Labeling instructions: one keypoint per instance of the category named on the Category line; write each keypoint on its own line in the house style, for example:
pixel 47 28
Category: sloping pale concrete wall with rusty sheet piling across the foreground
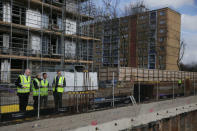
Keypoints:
pixel 123 118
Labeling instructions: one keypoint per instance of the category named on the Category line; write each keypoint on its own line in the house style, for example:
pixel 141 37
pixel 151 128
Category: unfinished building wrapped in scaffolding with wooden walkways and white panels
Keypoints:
pixel 44 34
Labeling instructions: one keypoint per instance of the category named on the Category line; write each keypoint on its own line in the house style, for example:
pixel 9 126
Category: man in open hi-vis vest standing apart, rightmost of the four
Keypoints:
pixel 59 83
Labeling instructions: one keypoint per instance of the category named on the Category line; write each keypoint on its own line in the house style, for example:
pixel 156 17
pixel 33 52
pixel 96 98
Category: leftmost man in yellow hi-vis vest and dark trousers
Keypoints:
pixel 23 89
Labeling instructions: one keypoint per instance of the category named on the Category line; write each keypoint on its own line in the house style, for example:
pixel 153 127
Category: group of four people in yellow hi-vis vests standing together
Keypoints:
pixel 40 88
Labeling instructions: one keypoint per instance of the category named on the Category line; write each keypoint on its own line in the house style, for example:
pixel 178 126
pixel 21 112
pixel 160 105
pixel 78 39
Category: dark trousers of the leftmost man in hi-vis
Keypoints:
pixel 23 101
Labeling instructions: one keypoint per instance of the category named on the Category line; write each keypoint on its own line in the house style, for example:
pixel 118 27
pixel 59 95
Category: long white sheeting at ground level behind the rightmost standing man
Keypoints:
pixel 77 81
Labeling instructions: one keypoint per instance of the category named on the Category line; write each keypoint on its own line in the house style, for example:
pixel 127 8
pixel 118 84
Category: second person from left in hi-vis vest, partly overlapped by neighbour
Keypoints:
pixel 36 90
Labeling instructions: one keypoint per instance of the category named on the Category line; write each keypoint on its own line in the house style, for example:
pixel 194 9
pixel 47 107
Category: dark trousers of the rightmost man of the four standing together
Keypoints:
pixel 57 100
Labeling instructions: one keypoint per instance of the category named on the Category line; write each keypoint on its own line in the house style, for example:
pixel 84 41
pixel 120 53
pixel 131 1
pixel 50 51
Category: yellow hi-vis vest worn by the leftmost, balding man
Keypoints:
pixel 25 83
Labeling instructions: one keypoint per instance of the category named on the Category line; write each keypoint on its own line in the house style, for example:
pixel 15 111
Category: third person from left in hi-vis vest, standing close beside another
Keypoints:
pixel 44 90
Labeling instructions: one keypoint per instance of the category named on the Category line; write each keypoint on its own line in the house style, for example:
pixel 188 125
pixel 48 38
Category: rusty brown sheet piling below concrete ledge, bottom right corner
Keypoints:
pixel 183 122
